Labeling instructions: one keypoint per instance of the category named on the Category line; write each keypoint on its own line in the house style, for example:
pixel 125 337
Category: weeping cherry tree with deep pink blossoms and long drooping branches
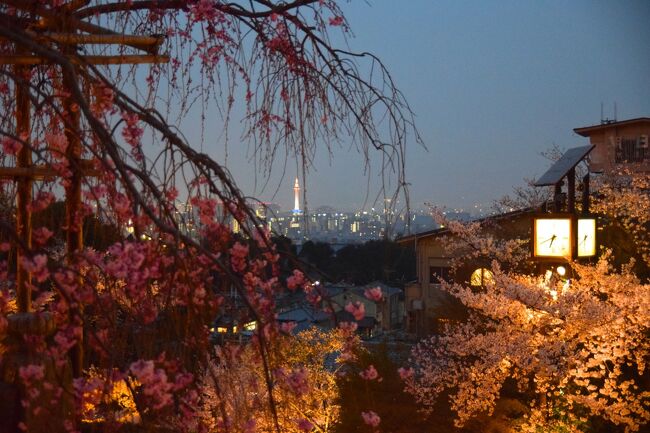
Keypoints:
pixel 80 119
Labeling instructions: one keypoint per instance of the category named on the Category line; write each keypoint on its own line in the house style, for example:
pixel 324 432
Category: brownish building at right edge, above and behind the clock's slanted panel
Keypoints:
pixel 619 144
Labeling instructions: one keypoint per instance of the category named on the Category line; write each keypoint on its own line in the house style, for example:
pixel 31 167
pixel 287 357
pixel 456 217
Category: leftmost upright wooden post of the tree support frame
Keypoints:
pixel 24 199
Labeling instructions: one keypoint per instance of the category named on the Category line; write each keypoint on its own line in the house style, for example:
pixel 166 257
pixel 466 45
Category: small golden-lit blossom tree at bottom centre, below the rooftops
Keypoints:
pixel 304 371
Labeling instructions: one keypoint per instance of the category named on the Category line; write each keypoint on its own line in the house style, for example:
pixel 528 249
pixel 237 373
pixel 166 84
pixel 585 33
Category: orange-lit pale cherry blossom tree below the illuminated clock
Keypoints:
pixel 576 347
